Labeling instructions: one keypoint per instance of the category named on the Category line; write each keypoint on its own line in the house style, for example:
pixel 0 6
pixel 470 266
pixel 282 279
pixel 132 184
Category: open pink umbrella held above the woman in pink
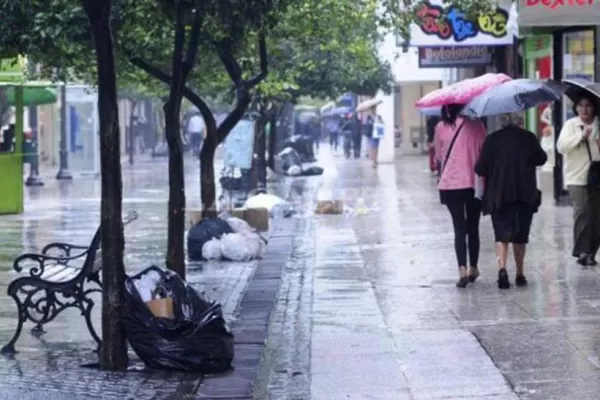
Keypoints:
pixel 461 92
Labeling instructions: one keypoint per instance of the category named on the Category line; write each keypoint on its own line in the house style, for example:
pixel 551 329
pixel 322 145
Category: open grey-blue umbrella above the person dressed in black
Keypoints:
pixel 514 96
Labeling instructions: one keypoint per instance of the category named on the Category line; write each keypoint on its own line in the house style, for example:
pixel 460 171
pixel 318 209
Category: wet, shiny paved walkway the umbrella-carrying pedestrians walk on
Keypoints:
pixel 385 321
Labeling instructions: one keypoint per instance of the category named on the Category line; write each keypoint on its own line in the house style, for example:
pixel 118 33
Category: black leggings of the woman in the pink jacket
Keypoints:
pixel 465 210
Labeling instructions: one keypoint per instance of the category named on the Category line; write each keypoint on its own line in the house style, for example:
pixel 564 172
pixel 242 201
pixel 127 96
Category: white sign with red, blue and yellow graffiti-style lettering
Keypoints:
pixel 434 27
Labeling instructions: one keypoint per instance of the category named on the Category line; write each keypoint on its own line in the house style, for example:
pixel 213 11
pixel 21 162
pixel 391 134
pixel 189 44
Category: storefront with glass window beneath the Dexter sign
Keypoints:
pixel 569 29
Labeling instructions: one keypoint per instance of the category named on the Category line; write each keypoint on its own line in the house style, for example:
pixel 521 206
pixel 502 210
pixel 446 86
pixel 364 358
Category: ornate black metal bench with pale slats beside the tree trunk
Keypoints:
pixel 54 284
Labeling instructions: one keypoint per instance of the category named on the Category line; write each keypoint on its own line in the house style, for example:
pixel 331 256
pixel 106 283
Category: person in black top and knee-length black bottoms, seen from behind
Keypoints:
pixel 508 162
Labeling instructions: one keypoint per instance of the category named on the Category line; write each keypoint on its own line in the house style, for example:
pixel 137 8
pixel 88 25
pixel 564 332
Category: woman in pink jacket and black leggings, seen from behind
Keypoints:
pixel 458 143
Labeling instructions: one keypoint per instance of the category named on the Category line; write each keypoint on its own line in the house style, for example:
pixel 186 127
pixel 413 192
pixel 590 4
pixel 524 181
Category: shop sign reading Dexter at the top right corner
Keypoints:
pixel 534 13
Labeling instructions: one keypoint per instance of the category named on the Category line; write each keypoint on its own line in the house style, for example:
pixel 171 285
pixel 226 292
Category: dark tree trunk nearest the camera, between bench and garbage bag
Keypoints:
pixel 113 354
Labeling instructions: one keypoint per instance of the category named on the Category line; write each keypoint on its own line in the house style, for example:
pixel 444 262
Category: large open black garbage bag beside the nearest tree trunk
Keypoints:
pixel 195 340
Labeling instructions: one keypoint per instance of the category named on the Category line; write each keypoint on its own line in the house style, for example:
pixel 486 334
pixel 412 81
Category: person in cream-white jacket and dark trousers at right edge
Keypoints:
pixel 579 143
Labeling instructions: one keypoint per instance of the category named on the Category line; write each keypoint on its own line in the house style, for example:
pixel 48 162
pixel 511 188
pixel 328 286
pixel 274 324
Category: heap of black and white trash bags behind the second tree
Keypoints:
pixel 226 238
